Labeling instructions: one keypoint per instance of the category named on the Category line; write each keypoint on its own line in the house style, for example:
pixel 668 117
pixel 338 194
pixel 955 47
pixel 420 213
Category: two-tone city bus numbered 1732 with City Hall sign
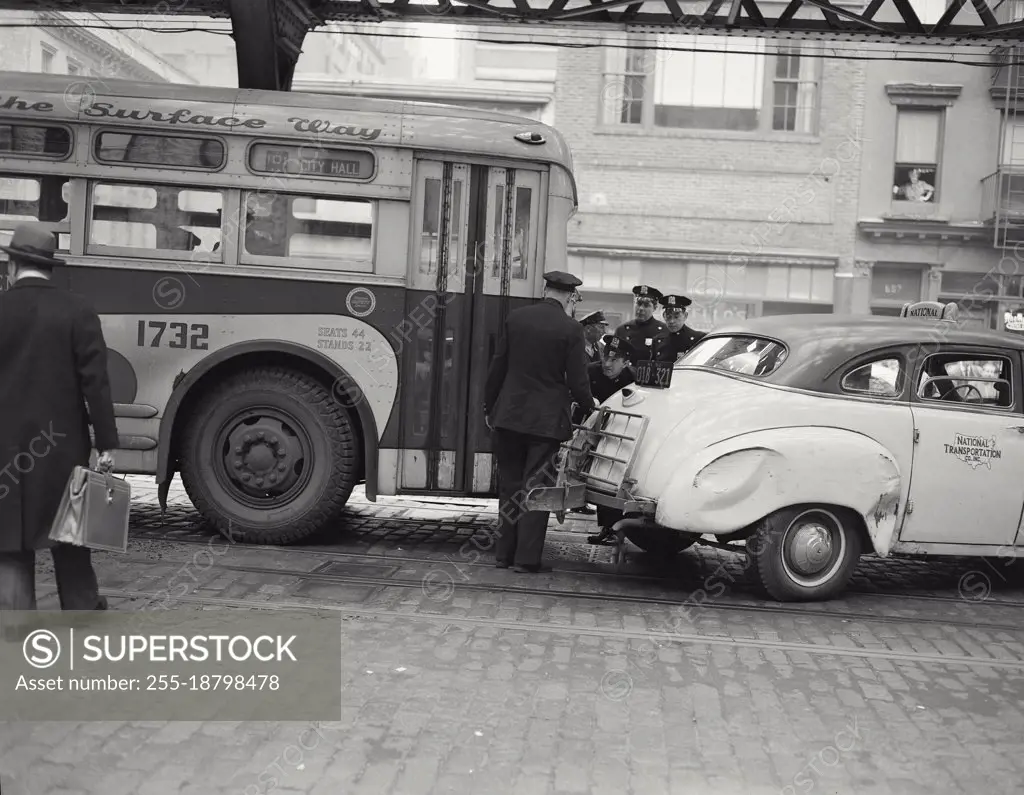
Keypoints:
pixel 300 292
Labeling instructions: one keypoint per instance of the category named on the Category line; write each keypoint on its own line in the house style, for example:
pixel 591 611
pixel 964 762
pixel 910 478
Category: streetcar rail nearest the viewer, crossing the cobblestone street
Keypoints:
pixel 603 633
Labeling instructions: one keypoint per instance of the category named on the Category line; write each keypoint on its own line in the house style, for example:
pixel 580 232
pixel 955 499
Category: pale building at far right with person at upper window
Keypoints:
pixel 943 188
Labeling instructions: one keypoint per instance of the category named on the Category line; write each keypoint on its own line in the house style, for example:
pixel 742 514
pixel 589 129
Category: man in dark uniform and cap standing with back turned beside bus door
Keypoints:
pixel 539 369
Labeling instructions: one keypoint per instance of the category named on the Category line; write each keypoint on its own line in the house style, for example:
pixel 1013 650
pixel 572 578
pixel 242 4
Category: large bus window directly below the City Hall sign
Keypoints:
pixel 310 228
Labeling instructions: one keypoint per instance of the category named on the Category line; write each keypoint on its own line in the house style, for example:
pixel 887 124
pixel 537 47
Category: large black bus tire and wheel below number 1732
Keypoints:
pixel 270 457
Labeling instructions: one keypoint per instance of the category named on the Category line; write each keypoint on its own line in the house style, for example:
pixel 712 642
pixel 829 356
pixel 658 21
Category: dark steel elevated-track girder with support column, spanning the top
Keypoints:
pixel 269 34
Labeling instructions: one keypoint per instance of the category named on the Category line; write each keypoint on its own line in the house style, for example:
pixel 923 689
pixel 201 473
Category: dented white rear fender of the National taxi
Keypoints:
pixel 737 483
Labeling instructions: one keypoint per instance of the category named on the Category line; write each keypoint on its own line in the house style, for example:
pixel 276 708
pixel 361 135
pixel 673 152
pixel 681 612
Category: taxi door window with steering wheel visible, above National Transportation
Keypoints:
pixel 967 379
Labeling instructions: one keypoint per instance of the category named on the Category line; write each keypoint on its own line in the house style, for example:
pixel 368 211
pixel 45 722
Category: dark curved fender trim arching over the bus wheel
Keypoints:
pixel 165 471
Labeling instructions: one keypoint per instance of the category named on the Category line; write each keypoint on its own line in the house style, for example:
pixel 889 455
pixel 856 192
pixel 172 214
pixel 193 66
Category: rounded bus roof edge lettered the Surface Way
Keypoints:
pixel 316 117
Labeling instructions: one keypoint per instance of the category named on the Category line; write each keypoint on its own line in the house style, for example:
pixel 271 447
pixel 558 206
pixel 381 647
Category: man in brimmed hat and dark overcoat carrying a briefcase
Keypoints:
pixel 54 383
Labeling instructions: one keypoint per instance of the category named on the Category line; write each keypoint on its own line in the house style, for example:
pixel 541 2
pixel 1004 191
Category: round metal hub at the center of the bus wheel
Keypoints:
pixel 266 457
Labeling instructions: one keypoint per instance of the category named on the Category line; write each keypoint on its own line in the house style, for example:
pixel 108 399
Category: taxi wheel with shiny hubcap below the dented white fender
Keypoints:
pixel 807 553
